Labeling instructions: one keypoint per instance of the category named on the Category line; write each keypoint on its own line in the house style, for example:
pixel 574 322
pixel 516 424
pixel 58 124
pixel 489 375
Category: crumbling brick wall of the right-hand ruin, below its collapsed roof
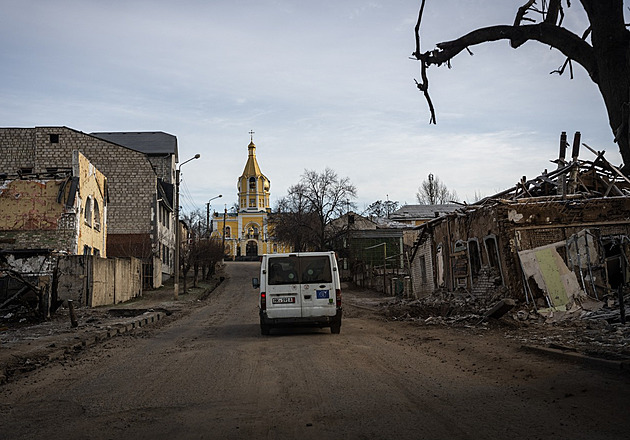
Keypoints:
pixel 479 249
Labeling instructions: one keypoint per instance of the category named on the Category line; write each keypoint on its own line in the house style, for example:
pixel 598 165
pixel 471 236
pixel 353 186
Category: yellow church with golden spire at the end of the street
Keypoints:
pixel 248 233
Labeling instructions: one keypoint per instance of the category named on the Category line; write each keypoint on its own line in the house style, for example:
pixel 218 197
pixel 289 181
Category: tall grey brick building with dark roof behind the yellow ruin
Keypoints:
pixel 140 172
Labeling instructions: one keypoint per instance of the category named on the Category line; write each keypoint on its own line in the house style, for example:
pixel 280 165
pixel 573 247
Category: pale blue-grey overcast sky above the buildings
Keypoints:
pixel 324 83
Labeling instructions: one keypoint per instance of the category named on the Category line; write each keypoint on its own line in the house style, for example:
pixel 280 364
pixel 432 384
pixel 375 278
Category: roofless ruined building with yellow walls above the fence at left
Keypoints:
pixel 64 209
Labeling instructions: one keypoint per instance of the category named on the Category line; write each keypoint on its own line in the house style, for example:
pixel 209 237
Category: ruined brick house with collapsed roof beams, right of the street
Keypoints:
pixel 557 241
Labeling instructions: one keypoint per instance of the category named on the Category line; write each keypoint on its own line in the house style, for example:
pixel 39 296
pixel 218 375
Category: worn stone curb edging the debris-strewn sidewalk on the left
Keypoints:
pixel 88 339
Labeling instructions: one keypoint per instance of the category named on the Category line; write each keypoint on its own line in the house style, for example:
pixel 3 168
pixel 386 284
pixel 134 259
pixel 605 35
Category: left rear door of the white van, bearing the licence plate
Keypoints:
pixel 283 288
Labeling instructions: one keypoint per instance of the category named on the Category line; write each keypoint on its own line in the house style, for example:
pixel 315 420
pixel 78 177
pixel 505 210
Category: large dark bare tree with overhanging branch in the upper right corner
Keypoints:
pixel 603 50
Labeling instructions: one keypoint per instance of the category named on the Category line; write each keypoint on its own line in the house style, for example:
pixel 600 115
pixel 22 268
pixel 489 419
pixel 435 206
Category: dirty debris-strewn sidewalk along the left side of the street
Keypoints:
pixel 26 347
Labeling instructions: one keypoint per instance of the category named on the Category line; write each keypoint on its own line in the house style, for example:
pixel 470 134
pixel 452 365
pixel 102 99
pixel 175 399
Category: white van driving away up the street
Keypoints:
pixel 299 289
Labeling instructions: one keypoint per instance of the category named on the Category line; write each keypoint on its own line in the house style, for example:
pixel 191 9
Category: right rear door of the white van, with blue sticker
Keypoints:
pixel 316 285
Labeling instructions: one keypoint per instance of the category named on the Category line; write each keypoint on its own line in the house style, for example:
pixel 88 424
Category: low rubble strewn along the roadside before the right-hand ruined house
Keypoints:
pixel 599 333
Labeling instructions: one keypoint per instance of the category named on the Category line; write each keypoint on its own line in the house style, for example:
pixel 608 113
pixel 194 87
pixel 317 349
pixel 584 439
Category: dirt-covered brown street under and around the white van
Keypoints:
pixel 211 375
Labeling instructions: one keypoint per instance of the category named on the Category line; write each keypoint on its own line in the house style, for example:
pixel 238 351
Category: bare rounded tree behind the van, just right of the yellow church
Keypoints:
pixel 310 205
